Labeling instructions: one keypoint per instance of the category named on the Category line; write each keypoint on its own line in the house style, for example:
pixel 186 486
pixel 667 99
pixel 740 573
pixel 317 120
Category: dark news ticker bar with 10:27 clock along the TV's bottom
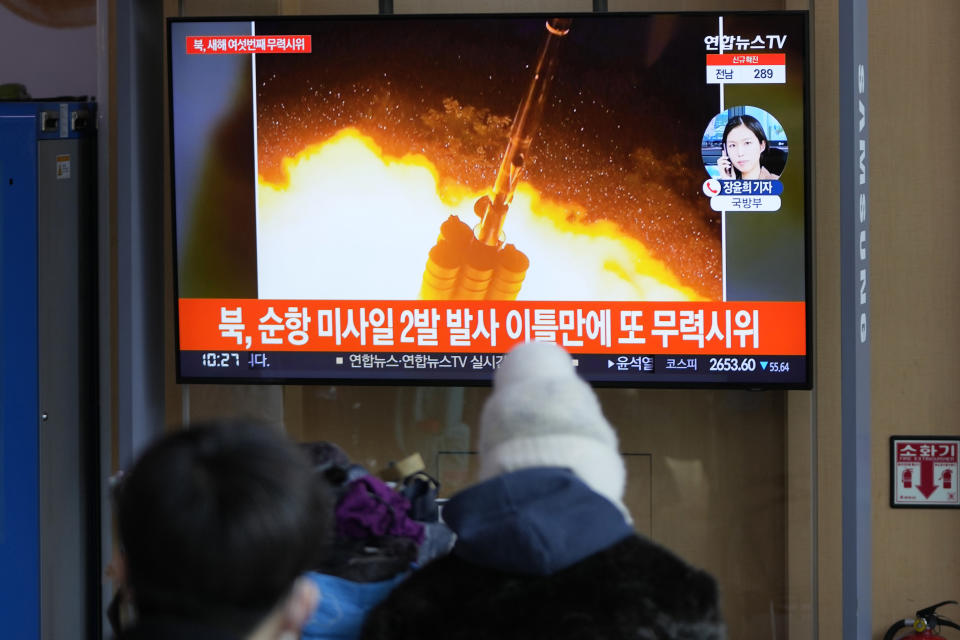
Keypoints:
pixel 479 367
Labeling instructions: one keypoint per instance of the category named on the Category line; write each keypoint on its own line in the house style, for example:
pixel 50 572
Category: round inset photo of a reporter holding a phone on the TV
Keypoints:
pixel 744 143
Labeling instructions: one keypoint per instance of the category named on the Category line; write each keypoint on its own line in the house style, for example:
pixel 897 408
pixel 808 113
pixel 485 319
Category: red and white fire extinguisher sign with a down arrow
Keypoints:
pixel 924 471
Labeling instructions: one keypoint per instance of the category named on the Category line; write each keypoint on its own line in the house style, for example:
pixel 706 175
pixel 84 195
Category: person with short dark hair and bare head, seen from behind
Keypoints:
pixel 215 524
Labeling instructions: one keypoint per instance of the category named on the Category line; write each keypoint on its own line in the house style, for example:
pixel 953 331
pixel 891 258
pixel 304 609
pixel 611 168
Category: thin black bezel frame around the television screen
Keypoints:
pixel 807 384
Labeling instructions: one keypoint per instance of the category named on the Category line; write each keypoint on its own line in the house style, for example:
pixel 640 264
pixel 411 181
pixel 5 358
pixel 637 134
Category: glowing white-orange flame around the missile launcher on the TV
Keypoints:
pixel 351 222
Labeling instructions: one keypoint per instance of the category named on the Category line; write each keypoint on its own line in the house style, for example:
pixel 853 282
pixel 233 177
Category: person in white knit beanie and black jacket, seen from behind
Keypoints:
pixel 544 546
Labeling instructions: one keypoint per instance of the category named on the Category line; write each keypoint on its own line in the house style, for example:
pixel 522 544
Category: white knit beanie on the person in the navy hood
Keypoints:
pixel 541 414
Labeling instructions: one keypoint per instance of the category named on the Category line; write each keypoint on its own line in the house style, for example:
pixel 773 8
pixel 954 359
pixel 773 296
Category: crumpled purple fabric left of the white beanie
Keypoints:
pixel 371 509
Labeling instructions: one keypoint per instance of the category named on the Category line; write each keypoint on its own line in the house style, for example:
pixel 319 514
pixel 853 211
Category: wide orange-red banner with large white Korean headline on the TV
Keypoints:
pixel 761 328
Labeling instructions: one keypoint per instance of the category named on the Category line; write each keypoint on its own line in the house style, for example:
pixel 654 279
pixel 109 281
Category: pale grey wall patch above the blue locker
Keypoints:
pixel 50 62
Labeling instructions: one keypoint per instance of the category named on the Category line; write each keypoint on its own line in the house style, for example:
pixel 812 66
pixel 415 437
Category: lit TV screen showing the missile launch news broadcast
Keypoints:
pixel 401 199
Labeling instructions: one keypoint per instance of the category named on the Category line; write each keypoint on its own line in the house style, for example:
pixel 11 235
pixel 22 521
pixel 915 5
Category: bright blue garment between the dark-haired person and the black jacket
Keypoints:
pixel 344 605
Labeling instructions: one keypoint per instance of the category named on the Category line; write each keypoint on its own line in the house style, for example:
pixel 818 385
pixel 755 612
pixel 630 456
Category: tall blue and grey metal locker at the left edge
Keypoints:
pixel 46 205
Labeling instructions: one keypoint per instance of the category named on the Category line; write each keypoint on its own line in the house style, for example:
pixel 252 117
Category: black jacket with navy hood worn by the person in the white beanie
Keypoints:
pixel 629 588
